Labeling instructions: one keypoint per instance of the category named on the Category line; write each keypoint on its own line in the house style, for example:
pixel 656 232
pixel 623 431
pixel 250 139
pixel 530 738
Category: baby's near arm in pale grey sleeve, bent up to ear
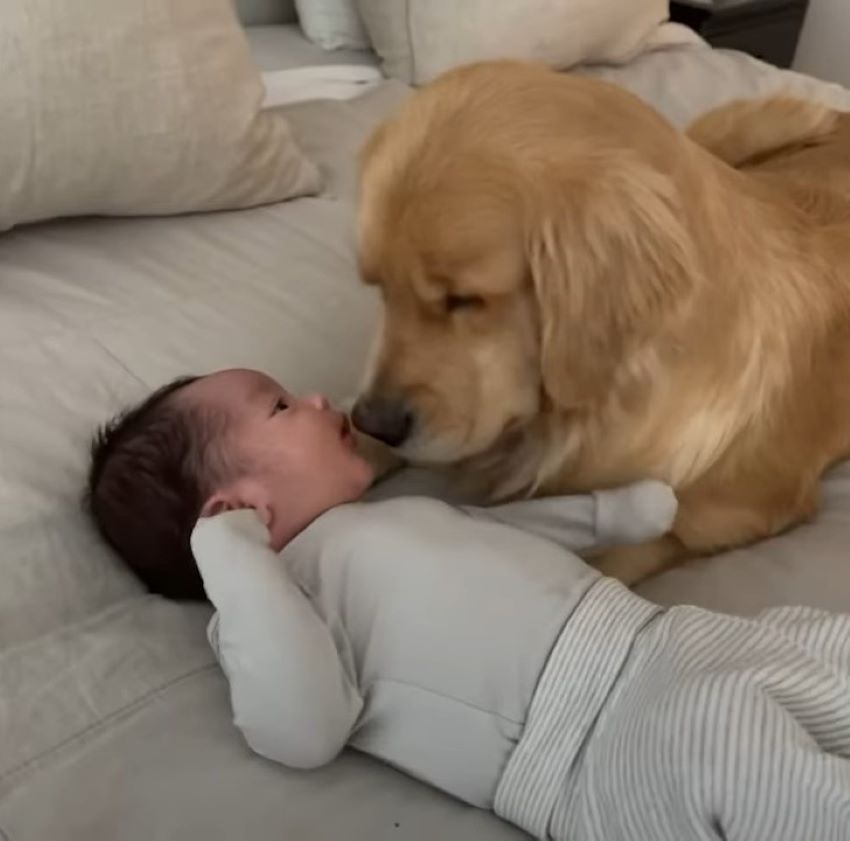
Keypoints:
pixel 292 698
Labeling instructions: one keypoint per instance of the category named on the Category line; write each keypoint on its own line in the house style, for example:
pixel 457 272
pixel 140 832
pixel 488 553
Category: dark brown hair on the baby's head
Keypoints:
pixel 152 468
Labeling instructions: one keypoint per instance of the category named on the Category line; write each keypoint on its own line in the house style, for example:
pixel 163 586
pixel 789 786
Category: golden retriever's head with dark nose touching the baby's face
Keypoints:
pixel 526 233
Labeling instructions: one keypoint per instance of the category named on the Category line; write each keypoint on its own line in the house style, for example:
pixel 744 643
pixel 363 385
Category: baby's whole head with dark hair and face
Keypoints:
pixel 202 445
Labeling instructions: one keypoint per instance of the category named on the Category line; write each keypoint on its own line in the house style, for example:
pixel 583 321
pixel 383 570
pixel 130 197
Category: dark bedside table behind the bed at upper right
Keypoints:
pixel 766 29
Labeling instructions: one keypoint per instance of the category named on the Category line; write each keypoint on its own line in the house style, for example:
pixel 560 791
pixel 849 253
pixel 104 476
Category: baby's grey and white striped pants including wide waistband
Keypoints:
pixel 713 727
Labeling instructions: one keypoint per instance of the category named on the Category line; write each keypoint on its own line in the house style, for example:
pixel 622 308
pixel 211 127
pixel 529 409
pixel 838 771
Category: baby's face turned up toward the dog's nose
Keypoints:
pixel 298 452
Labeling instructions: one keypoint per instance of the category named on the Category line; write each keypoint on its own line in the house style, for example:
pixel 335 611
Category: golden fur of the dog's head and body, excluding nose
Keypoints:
pixel 578 295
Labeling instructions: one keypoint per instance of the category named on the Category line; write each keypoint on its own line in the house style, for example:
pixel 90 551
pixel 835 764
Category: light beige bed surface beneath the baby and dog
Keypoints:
pixel 114 719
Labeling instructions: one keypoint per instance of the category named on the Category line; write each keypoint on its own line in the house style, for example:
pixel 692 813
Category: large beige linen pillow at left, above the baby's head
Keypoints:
pixel 124 107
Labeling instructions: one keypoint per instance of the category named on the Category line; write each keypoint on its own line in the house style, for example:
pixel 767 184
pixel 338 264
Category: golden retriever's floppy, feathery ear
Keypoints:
pixel 610 259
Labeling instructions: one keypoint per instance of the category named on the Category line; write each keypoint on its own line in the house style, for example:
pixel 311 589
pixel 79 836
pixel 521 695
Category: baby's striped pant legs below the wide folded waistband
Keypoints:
pixel 723 728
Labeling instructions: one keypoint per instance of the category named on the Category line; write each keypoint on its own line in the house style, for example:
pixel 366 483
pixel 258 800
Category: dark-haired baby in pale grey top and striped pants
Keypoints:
pixel 470 647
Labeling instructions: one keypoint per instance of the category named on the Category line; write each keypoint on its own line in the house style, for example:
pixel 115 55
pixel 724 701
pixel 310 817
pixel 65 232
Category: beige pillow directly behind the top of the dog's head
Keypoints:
pixel 419 39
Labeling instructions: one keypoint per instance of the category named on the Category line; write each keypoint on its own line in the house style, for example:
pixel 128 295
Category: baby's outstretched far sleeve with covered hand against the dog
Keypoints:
pixel 632 514
